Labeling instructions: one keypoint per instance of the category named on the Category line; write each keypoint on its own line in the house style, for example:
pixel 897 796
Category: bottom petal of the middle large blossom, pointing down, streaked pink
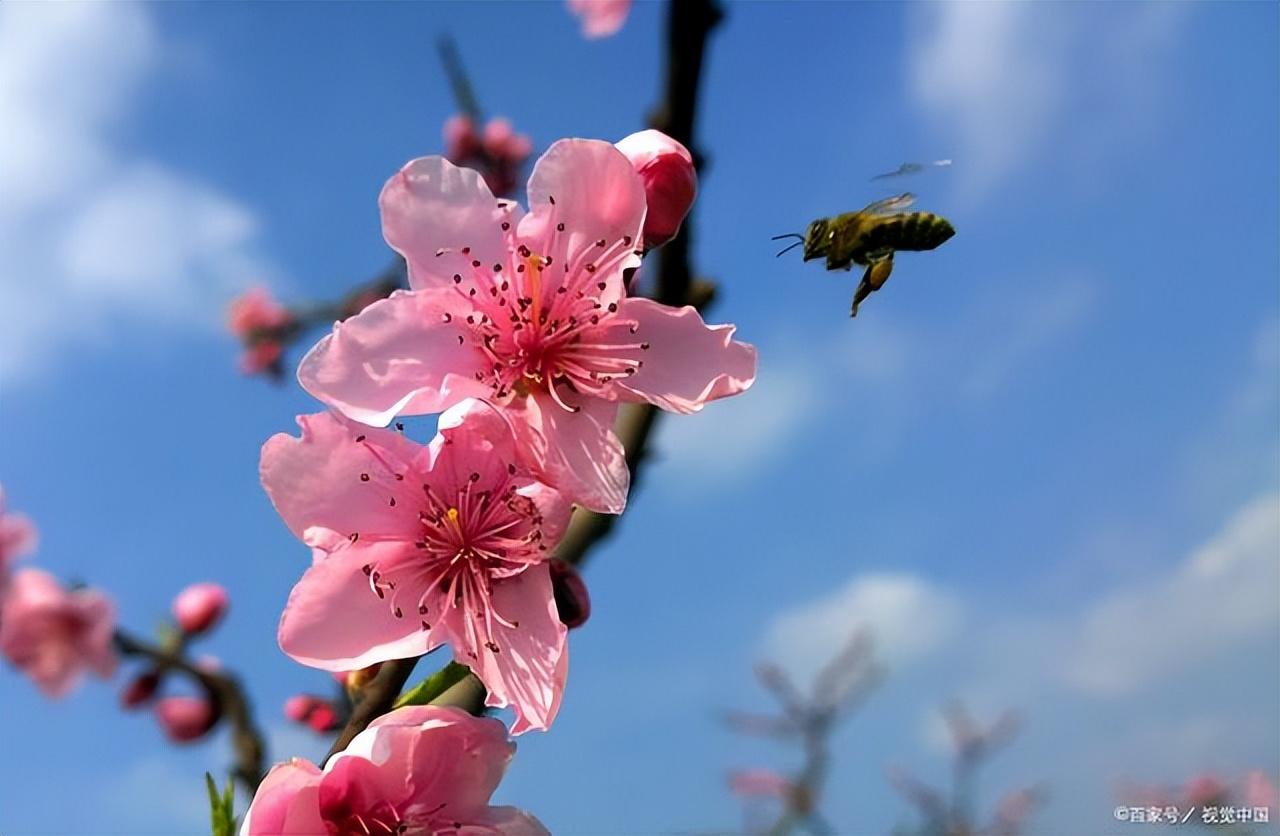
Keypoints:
pixel 532 665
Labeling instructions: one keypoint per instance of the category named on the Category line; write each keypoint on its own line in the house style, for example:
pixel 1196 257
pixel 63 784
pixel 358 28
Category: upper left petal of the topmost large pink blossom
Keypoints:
pixel 432 205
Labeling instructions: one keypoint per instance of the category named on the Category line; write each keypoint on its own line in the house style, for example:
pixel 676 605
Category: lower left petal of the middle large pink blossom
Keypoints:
pixel 335 622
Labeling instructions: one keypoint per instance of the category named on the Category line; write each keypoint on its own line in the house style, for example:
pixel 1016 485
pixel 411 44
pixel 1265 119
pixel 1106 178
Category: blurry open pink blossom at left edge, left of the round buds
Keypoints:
pixel 54 636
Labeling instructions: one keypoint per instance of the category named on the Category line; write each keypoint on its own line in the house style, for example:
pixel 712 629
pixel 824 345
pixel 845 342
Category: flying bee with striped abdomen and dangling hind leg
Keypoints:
pixel 870 237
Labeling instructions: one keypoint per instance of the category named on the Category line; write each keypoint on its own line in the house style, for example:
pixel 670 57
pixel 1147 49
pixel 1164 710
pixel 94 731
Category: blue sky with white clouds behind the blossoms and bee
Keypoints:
pixel 1043 465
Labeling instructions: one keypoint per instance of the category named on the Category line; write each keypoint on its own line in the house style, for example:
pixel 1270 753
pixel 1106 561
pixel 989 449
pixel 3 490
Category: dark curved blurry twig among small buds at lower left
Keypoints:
pixel 225 689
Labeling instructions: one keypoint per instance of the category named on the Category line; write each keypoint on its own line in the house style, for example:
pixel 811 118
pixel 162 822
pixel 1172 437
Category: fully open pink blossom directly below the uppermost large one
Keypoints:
pixel 422 546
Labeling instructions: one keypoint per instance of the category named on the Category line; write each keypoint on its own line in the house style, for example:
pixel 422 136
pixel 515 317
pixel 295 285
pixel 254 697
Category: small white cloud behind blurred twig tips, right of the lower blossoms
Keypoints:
pixel 907 616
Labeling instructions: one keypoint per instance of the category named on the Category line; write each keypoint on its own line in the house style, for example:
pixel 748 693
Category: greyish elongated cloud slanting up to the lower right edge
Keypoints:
pixel 1224 593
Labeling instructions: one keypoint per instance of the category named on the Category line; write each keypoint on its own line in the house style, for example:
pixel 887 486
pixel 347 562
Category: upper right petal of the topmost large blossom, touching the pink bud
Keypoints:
pixel 598 198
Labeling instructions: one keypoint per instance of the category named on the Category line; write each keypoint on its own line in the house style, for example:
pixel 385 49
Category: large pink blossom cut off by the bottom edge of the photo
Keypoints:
pixel 419 770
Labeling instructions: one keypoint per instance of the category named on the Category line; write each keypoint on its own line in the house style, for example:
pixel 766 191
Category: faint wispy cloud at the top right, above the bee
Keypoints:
pixel 1000 80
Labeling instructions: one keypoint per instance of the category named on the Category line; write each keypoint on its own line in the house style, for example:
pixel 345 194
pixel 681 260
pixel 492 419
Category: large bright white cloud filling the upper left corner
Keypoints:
pixel 95 239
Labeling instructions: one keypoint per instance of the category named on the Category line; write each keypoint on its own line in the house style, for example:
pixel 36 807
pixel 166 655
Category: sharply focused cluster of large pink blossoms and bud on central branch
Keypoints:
pixel 518 330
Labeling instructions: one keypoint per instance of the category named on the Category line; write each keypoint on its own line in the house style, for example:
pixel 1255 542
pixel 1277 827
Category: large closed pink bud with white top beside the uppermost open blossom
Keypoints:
pixel 670 182
